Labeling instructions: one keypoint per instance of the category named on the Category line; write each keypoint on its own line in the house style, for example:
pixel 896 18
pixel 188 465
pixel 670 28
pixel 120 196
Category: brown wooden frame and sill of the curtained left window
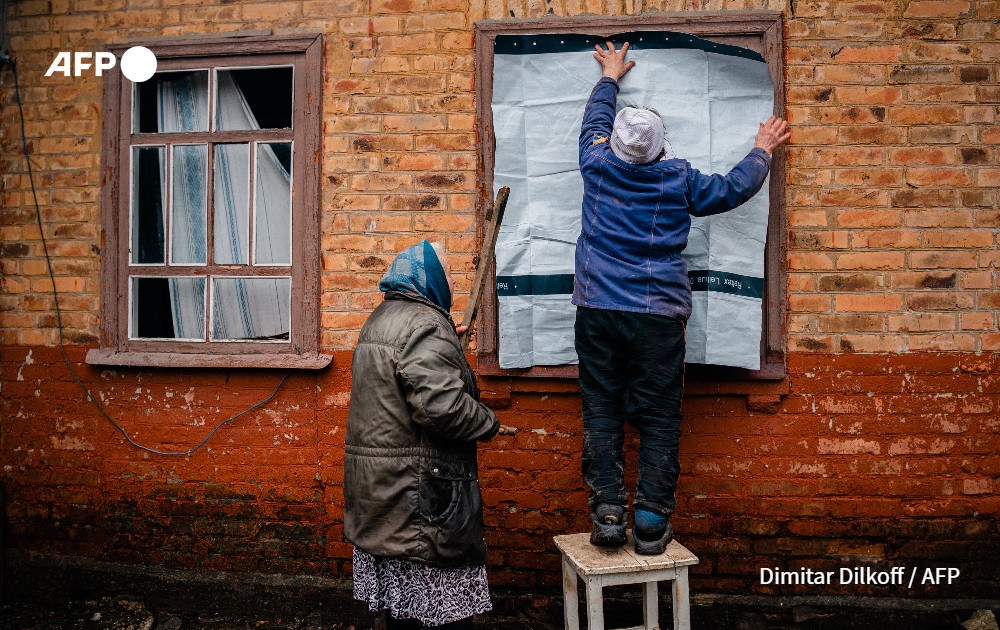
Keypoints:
pixel 304 53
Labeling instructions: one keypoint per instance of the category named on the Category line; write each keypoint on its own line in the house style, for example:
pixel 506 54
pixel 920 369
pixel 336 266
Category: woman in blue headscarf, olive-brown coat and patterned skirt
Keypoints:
pixel 413 508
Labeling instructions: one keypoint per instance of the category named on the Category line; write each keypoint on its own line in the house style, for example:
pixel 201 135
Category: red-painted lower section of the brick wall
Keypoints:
pixel 870 460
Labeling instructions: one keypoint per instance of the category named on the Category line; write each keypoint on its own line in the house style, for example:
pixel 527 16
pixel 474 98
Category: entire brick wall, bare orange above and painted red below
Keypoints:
pixel 880 448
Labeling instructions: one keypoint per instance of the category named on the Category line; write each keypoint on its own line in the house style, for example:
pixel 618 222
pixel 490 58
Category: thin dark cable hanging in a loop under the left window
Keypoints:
pixel 55 297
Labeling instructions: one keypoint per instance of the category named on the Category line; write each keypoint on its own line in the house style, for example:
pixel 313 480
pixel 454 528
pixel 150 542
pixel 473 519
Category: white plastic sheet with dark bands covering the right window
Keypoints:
pixel 711 97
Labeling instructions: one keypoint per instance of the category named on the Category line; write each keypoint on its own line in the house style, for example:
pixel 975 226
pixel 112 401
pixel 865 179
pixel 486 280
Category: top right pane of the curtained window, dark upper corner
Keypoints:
pixel 254 98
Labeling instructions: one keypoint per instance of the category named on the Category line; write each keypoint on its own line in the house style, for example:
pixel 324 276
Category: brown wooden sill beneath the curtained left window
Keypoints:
pixel 104 356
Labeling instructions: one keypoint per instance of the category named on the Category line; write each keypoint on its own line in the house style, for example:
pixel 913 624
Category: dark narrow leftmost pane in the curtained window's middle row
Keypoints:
pixel 149 190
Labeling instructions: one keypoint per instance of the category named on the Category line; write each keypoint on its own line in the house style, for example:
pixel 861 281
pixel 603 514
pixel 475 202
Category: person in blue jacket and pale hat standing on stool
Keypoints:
pixel 633 298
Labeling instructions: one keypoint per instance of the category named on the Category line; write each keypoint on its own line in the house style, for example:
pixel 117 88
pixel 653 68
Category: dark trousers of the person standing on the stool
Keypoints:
pixel 631 370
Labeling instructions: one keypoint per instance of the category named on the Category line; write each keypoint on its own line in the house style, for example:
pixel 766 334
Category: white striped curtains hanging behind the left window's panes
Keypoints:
pixel 243 308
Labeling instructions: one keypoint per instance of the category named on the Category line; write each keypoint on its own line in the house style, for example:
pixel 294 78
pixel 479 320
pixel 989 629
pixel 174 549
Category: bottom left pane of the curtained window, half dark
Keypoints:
pixel 167 308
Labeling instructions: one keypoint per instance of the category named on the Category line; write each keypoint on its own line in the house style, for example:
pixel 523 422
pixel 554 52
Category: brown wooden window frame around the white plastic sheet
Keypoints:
pixel 760 31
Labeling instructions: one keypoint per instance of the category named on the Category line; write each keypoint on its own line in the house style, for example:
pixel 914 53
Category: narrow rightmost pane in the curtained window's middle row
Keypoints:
pixel 273 204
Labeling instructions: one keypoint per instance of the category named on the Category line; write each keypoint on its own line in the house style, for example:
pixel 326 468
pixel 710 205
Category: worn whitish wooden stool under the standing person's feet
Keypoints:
pixel 603 566
